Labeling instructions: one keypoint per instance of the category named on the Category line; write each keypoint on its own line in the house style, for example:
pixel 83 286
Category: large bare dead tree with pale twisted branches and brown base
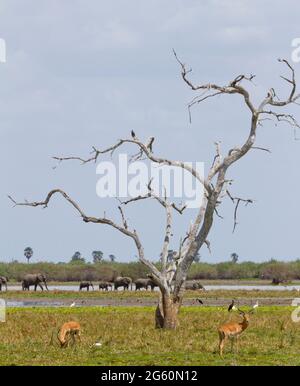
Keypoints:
pixel 215 183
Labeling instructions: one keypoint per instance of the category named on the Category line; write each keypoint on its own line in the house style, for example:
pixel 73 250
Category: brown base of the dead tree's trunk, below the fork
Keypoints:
pixel 166 313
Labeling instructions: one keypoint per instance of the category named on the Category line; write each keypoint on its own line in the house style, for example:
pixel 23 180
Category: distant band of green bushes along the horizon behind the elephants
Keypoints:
pixel 107 270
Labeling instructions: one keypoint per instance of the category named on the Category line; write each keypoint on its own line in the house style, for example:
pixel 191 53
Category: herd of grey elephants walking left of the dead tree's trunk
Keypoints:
pixel 38 280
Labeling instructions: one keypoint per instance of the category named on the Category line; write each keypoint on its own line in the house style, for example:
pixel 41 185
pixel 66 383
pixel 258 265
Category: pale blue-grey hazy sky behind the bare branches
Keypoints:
pixel 85 73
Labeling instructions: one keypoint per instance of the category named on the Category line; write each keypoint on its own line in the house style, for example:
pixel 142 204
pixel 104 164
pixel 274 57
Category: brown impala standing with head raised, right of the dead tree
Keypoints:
pixel 233 330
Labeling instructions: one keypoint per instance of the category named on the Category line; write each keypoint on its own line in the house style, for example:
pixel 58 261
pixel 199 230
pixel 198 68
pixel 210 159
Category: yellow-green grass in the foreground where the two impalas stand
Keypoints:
pixel 128 337
